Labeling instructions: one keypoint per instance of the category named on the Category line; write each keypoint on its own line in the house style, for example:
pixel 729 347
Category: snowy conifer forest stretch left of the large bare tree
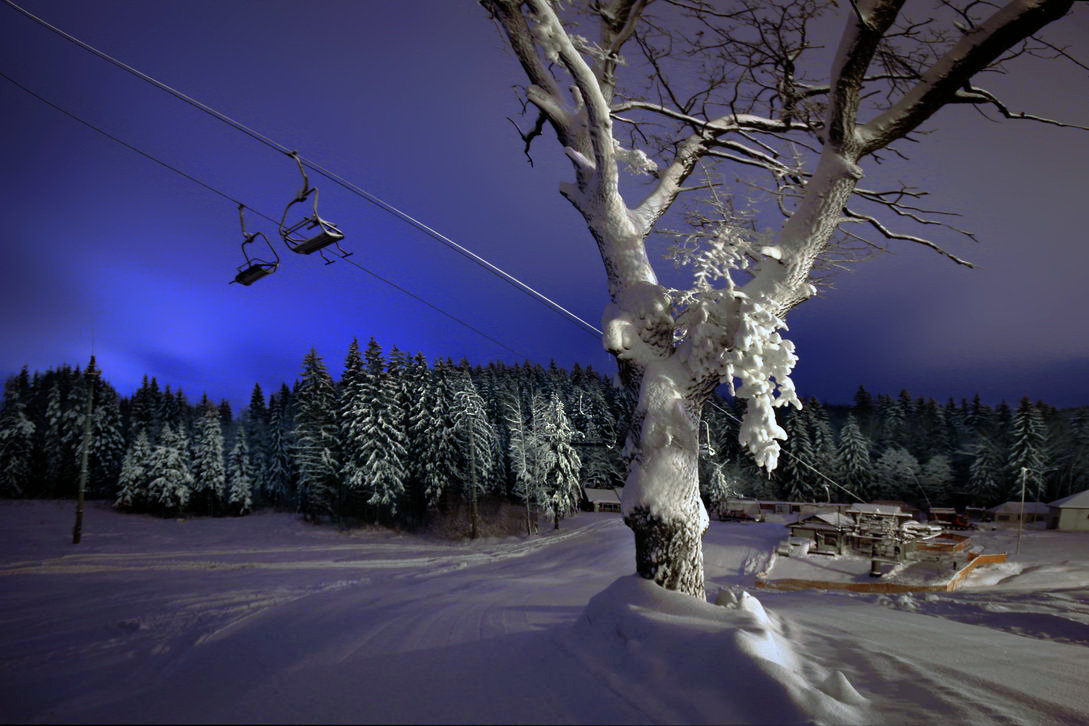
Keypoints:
pixel 395 441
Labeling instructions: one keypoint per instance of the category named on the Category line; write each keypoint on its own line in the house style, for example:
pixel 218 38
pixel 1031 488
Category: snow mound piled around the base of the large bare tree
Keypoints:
pixel 726 663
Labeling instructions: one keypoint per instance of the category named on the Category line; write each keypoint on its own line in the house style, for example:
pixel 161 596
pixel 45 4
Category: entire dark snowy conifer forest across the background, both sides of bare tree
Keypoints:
pixel 398 440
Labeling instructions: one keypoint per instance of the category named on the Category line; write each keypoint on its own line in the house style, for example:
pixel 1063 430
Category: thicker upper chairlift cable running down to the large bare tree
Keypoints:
pixel 354 189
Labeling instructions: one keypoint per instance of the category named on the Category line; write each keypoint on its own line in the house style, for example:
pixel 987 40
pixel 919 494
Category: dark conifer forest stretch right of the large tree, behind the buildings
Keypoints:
pixel 908 449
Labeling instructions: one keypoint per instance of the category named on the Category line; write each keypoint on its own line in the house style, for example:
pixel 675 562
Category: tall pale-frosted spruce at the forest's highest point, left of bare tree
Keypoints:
pixel 383 448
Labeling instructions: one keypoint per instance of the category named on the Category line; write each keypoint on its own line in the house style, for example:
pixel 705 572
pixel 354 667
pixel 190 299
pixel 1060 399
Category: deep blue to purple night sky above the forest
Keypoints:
pixel 409 100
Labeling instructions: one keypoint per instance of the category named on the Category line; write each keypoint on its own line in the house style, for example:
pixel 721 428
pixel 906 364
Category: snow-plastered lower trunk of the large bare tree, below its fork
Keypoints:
pixel 662 497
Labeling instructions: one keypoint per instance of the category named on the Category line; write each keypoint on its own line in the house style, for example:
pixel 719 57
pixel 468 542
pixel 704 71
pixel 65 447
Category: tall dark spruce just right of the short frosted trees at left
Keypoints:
pixel 316 439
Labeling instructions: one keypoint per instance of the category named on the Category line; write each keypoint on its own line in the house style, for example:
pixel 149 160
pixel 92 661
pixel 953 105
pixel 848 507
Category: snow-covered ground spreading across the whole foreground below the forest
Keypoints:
pixel 266 619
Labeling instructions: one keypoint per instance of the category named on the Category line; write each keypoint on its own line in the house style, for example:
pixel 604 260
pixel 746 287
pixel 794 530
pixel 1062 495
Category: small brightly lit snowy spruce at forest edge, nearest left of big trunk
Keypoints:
pixel 558 462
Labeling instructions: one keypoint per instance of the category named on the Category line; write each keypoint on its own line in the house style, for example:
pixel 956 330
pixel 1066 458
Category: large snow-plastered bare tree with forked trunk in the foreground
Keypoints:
pixel 756 101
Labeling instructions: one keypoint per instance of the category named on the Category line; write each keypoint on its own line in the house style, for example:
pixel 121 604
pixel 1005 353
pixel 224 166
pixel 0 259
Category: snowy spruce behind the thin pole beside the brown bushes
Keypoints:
pixel 476 441
